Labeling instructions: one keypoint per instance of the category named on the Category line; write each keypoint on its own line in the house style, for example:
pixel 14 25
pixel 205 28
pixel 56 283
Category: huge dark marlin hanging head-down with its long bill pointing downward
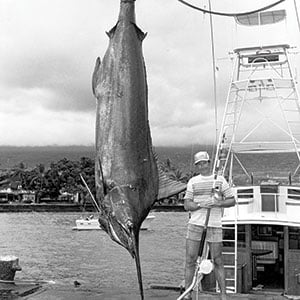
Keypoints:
pixel 126 170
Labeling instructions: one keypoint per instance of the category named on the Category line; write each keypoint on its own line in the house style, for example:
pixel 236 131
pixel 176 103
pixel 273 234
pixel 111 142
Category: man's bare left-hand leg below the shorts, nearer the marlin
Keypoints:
pixel 192 248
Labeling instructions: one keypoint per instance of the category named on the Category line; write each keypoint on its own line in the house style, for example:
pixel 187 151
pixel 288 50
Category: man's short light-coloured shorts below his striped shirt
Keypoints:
pixel 213 234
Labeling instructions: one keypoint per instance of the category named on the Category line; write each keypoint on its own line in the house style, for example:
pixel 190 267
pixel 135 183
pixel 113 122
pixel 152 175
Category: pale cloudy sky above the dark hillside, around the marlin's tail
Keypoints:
pixel 48 50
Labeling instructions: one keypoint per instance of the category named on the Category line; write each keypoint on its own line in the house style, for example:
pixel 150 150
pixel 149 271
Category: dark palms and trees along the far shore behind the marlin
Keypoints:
pixel 63 176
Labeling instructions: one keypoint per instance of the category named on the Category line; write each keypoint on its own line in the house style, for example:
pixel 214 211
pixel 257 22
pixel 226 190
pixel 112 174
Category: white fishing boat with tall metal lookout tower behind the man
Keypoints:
pixel 261 160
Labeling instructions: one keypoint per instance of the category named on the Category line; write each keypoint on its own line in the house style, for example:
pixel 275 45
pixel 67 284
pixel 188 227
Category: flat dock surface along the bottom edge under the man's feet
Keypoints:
pixel 42 292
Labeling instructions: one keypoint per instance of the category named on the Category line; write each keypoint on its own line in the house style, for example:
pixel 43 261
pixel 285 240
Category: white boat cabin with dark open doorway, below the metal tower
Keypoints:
pixel 268 237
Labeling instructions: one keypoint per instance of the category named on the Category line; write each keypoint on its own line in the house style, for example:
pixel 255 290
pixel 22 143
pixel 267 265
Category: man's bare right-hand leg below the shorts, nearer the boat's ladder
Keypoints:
pixel 216 253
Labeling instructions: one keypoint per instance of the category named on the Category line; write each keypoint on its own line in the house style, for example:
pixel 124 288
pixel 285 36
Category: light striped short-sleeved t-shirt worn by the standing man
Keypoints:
pixel 199 190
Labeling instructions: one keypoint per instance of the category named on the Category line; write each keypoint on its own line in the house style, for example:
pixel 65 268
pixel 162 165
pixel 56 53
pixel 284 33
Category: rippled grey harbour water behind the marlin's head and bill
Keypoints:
pixel 48 249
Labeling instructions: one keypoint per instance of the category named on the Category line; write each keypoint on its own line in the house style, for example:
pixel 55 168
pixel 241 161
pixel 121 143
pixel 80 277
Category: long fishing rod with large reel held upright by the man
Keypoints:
pixel 202 262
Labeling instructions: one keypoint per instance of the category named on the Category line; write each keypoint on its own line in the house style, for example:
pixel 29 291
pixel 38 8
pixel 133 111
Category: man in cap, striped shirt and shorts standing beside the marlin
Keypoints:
pixel 198 199
